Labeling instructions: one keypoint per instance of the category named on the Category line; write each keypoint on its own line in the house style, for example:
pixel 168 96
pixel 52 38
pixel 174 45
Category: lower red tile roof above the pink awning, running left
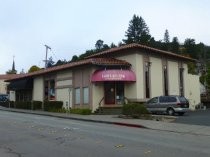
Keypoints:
pixel 93 61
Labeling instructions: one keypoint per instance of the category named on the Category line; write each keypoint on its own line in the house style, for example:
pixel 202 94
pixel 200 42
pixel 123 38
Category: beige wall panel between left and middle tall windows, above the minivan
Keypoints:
pixel 156 77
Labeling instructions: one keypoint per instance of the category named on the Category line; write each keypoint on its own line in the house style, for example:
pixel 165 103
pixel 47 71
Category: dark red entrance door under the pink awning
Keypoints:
pixel 109 89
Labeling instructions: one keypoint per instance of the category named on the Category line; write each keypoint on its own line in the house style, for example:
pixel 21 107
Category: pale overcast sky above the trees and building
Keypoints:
pixel 70 27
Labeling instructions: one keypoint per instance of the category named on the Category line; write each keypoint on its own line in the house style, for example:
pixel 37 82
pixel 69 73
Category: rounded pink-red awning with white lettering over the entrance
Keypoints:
pixel 113 75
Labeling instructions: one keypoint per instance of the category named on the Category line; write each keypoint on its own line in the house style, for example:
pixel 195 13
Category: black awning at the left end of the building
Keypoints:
pixel 20 84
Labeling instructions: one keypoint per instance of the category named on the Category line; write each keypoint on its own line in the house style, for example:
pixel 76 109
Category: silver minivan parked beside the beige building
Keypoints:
pixel 168 104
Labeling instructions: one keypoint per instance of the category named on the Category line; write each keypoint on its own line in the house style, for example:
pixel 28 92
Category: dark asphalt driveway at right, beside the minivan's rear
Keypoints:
pixel 198 117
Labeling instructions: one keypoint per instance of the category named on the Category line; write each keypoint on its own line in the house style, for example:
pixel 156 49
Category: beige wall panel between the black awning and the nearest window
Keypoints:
pixel 38 89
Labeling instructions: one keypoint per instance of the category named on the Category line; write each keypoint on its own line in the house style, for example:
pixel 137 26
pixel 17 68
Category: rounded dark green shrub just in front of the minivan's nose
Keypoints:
pixel 134 110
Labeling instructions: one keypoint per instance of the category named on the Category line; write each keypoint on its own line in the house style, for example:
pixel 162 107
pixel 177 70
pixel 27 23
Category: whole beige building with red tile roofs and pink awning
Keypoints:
pixel 132 72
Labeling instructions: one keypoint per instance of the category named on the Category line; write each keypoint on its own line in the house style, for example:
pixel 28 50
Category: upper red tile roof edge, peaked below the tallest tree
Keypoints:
pixel 134 45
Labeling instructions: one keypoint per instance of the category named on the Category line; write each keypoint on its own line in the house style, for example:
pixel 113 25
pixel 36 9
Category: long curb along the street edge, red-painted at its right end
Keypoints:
pixel 49 114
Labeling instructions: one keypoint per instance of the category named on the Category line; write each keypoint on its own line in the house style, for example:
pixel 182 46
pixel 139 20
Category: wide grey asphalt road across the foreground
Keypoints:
pixel 25 135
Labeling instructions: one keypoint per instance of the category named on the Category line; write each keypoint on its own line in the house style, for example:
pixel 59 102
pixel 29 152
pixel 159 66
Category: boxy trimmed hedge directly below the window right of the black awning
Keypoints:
pixel 52 105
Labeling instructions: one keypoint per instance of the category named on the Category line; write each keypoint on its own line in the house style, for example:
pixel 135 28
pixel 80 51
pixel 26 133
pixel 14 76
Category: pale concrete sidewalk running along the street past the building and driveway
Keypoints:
pixel 114 119
